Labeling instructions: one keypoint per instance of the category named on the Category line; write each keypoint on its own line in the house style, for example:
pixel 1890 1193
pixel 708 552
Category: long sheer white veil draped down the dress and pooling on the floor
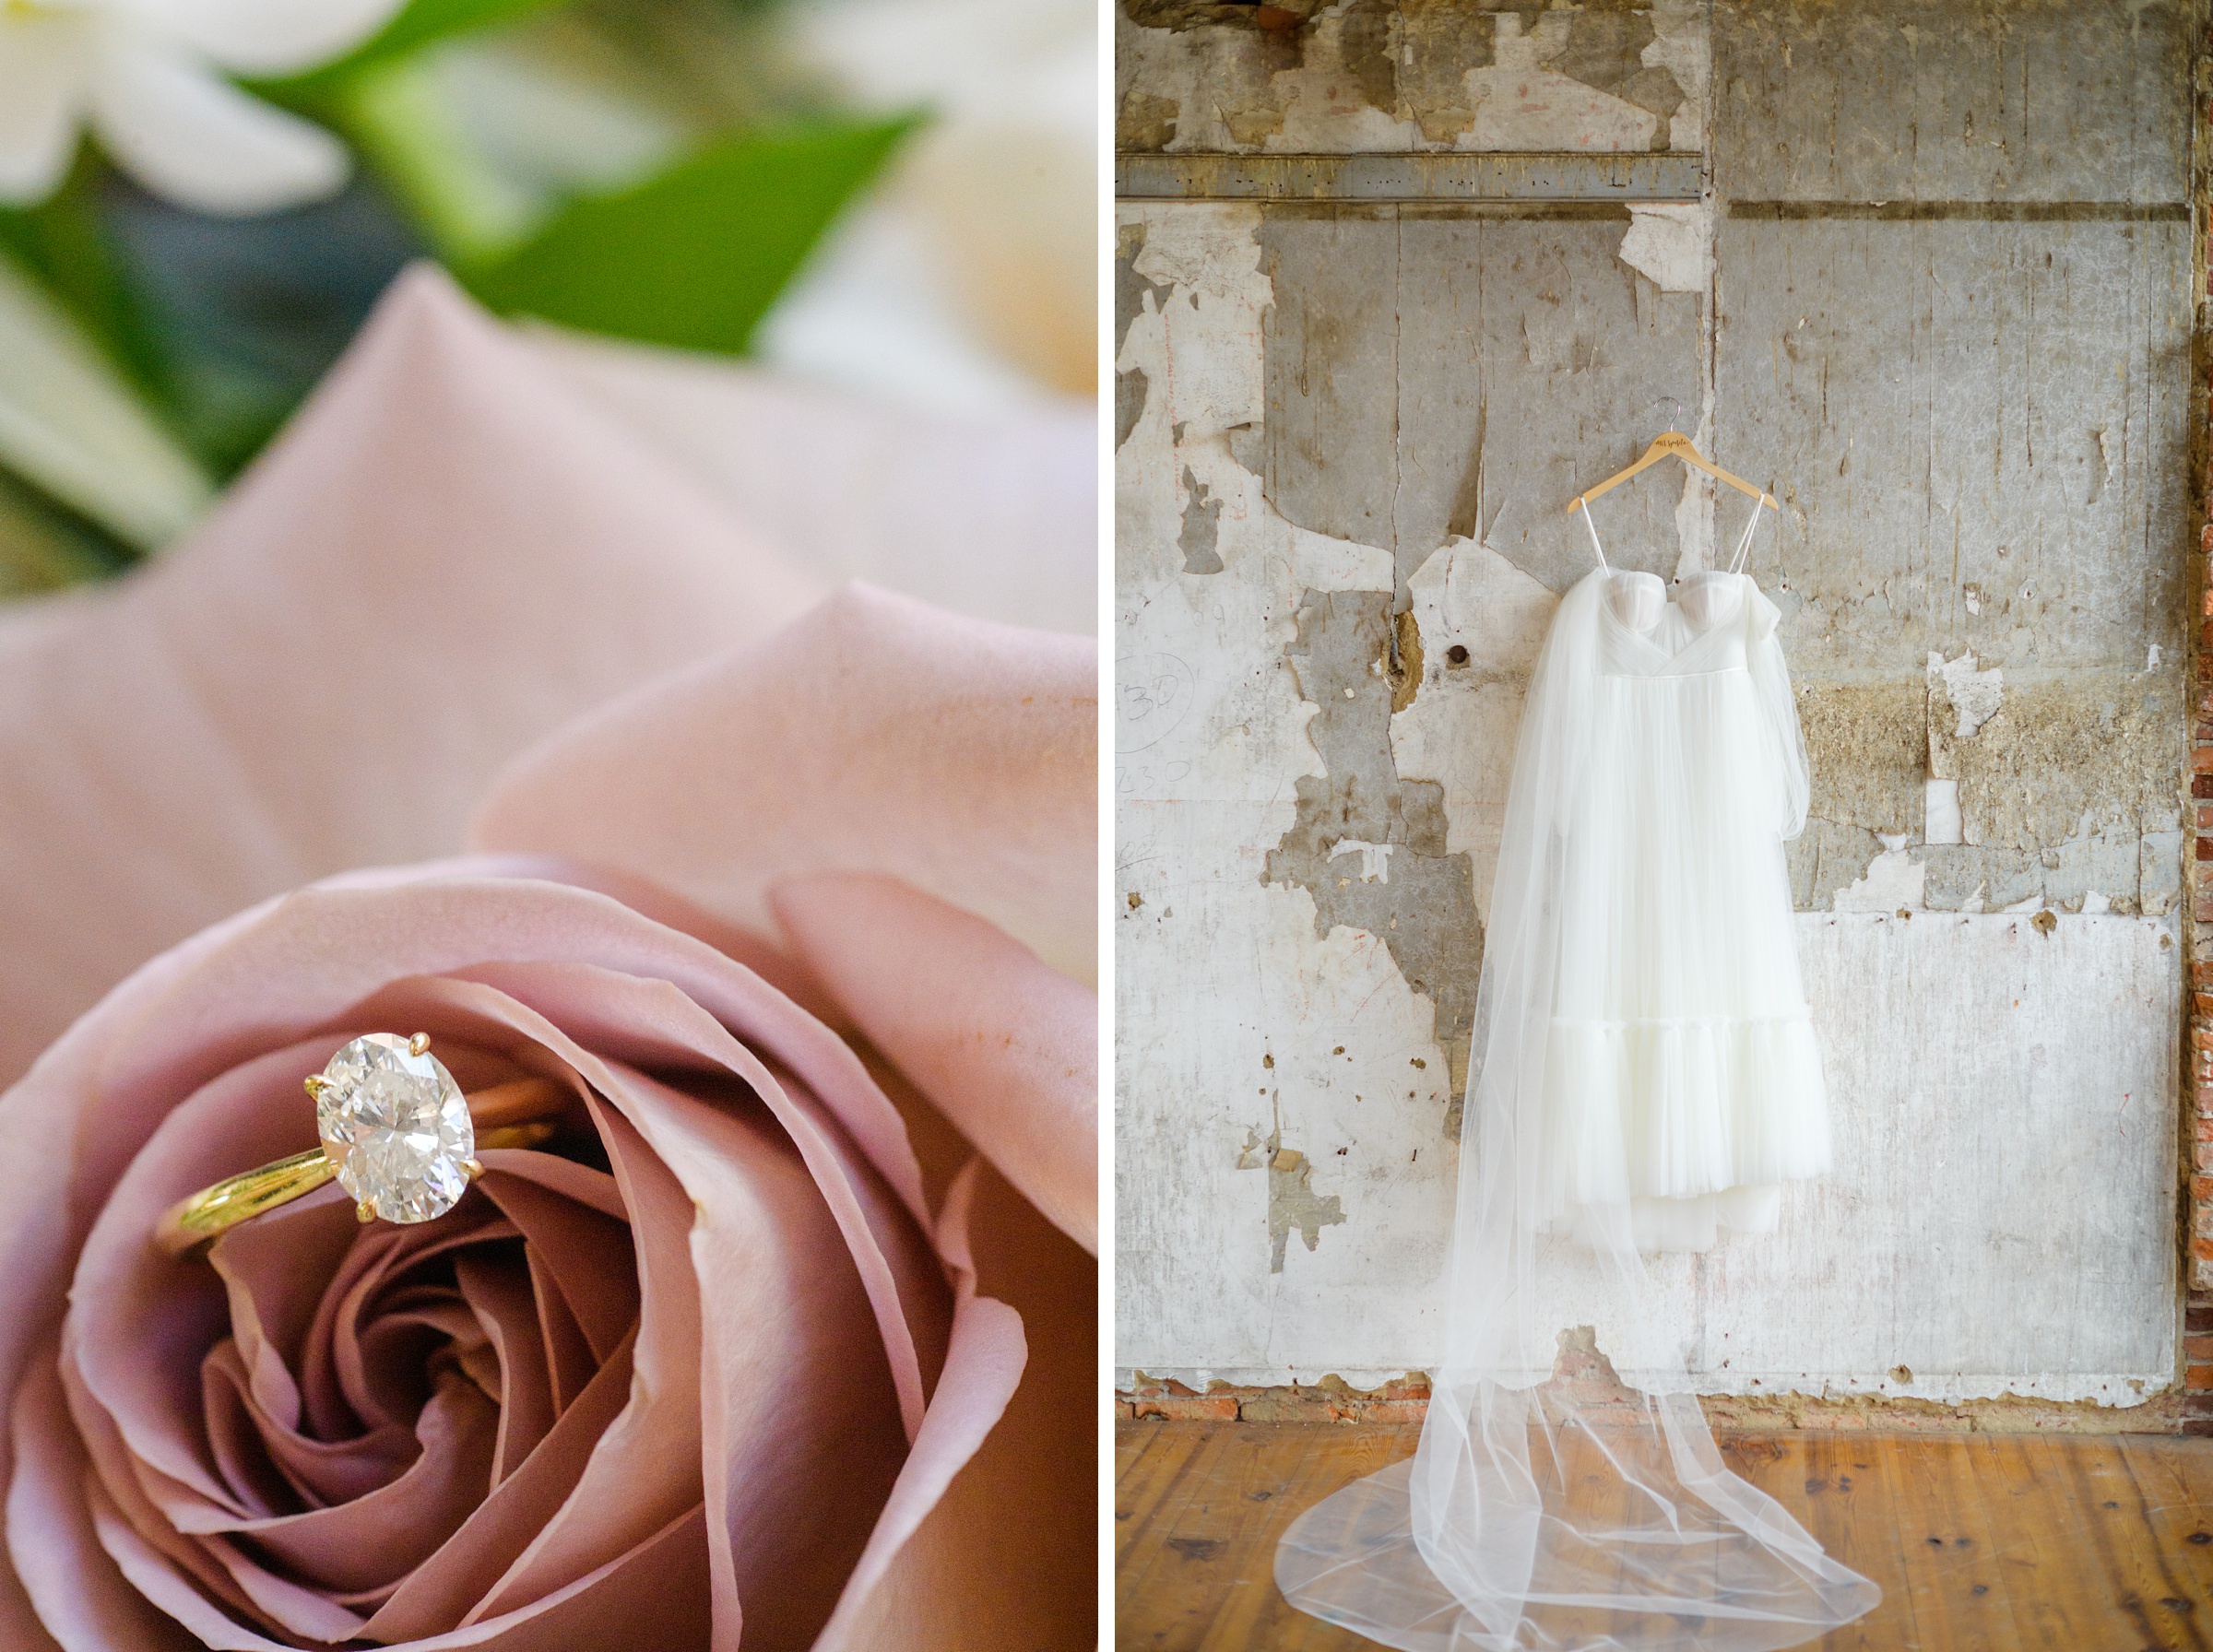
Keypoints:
pixel 1555 1507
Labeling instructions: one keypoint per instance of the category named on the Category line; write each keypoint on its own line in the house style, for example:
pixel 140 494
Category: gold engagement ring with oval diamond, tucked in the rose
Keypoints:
pixel 397 1133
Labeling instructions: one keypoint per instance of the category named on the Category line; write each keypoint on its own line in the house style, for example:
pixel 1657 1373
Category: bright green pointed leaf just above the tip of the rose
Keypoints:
pixel 696 255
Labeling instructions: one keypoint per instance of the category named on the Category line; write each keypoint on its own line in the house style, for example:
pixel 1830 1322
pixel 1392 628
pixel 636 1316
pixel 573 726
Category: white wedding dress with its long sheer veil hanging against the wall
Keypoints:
pixel 1643 1076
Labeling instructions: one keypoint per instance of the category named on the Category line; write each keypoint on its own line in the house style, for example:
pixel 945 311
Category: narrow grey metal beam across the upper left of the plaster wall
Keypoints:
pixel 1411 178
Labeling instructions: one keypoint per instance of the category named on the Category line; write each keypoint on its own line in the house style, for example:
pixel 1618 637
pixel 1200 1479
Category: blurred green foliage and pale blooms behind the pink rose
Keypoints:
pixel 656 171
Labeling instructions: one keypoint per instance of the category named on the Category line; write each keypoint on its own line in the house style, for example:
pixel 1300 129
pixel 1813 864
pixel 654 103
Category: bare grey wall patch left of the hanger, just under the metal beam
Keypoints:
pixel 1435 377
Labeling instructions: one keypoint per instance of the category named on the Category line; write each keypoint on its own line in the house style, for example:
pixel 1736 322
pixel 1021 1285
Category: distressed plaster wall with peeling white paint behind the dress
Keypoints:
pixel 1937 297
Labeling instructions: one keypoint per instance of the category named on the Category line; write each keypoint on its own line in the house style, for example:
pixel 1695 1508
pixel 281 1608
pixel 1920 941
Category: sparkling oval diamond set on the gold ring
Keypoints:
pixel 397 1127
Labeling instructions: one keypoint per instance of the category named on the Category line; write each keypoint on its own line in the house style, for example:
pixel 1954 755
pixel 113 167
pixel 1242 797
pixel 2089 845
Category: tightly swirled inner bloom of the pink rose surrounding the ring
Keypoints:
pixel 711 1386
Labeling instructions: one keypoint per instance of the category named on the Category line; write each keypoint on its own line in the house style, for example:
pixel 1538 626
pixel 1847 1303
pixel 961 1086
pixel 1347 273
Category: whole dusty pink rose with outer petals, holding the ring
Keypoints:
pixel 789 1337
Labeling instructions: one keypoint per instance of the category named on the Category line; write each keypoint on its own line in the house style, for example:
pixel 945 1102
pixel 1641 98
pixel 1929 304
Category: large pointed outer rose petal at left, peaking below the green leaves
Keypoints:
pixel 169 740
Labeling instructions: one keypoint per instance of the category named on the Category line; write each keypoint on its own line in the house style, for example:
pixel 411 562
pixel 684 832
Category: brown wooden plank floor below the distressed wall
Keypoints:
pixel 1982 1543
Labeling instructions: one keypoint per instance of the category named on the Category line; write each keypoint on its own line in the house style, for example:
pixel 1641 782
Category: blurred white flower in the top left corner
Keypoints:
pixel 147 76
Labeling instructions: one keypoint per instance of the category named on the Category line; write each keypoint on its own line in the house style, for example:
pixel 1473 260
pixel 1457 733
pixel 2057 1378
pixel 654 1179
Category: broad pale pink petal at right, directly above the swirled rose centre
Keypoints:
pixel 873 735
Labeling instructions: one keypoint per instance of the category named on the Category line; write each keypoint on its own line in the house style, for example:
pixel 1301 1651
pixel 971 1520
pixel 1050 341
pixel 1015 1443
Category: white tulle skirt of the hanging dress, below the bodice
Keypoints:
pixel 1683 1071
